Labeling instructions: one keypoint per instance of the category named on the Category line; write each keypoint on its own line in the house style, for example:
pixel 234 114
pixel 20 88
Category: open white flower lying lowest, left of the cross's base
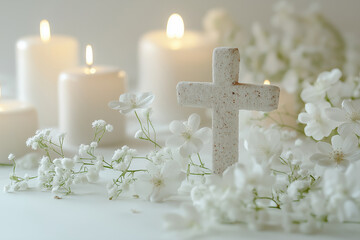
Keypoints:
pixel 160 182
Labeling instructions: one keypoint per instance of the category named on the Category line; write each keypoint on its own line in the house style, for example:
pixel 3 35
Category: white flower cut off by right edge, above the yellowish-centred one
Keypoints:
pixel 348 117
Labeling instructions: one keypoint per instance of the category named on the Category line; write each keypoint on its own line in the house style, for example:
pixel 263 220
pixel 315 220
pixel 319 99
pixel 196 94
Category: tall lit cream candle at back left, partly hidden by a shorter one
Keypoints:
pixel 39 62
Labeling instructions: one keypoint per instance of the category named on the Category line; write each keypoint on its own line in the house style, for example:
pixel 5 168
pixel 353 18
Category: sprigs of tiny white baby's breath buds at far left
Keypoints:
pixel 56 172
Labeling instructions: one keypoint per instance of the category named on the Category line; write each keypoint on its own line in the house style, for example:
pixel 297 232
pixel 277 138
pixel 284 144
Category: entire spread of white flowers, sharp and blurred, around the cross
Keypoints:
pixel 296 178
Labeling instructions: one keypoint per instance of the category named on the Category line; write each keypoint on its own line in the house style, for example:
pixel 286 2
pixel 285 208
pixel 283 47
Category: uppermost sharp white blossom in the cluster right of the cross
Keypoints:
pixel 317 92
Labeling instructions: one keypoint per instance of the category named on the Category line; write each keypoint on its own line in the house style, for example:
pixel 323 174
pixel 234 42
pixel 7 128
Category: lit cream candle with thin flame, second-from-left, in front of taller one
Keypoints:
pixel 84 94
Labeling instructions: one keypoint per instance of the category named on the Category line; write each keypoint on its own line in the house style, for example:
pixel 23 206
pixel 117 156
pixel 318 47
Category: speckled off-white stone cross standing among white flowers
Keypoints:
pixel 226 96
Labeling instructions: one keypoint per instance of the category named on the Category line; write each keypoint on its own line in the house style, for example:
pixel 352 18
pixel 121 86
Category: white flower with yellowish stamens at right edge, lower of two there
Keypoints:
pixel 341 152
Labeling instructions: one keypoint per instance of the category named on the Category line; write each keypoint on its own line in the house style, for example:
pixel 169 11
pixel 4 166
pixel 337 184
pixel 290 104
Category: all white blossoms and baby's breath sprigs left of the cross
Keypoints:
pixel 166 168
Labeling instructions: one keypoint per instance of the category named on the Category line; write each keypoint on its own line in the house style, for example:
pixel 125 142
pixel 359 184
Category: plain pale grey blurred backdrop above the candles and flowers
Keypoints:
pixel 114 27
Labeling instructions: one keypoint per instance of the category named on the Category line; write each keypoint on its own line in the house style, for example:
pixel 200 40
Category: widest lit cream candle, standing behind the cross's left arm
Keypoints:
pixel 166 58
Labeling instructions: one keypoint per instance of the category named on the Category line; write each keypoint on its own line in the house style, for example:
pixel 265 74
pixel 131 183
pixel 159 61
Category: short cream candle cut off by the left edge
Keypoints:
pixel 18 122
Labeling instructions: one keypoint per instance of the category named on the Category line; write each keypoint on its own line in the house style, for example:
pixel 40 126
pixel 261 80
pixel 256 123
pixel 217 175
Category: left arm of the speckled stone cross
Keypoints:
pixel 195 94
